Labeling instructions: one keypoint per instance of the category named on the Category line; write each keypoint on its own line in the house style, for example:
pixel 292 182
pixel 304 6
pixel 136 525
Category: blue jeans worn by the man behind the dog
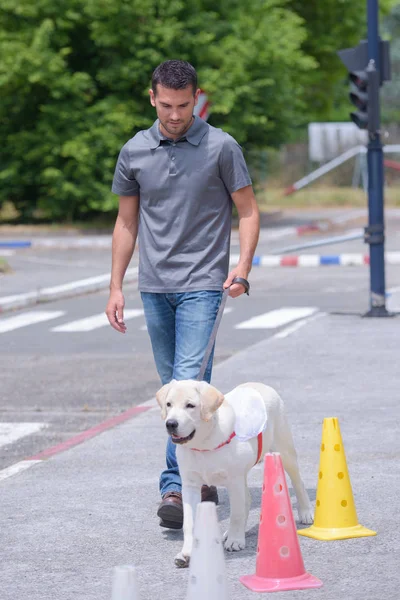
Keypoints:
pixel 179 326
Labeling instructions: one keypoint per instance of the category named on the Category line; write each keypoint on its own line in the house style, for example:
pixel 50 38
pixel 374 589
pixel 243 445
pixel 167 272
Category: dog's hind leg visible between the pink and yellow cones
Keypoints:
pixel 285 446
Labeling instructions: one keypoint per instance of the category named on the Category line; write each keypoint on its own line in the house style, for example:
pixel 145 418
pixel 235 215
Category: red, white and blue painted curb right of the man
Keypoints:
pixel 317 260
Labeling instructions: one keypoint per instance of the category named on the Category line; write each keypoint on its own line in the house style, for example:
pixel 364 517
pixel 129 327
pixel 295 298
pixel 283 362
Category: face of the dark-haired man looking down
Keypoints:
pixel 174 109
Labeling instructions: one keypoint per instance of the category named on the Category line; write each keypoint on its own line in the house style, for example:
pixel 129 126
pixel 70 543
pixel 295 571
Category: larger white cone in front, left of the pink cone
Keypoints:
pixel 207 574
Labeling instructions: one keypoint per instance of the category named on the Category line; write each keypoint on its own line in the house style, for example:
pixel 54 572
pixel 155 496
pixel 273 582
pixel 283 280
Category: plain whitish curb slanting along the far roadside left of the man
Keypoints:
pixel 67 290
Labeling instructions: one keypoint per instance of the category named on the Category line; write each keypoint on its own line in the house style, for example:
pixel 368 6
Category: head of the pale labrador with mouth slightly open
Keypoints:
pixel 186 405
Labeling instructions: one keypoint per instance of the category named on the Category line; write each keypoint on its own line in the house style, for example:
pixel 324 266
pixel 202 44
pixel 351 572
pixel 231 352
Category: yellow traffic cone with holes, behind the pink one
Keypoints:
pixel 335 515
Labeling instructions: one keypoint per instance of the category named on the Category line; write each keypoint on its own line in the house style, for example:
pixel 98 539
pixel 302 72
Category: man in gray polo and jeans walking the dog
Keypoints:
pixel 176 182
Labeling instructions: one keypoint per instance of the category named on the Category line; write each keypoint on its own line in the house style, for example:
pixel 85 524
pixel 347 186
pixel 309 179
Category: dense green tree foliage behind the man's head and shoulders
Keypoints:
pixel 74 79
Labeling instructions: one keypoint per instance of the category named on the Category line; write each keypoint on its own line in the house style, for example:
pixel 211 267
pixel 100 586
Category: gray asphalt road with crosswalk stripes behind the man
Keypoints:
pixel 68 381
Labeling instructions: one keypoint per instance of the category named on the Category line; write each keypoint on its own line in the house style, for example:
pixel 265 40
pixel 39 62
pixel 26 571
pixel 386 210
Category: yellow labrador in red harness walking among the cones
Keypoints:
pixel 204 423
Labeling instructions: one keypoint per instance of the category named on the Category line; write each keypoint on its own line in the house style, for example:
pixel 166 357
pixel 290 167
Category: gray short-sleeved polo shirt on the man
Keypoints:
pixel 185 212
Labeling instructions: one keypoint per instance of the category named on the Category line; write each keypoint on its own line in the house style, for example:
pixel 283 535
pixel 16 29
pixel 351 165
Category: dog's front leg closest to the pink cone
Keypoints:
pixel 234 538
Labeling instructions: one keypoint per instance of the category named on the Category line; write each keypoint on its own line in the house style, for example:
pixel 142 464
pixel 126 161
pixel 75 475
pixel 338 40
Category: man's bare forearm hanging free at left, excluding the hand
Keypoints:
pixel 123 245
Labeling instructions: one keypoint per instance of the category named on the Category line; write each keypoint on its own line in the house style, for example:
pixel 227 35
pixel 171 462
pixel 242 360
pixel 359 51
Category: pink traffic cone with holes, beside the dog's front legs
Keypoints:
pixel 279 564
